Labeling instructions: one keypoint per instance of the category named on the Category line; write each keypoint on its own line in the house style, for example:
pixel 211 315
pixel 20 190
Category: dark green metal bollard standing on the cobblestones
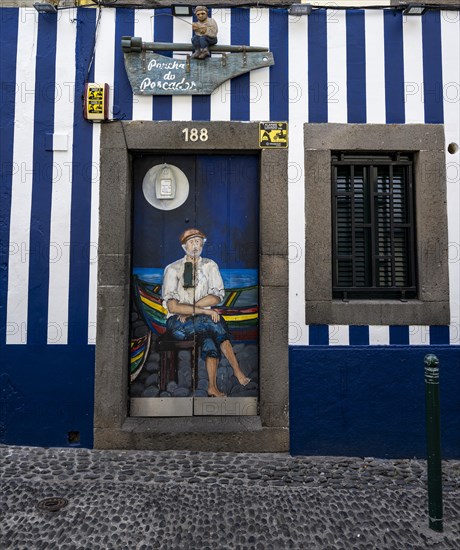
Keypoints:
pixel 433 437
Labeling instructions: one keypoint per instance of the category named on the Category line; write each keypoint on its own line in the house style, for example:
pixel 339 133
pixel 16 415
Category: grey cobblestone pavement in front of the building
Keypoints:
pixel 193 500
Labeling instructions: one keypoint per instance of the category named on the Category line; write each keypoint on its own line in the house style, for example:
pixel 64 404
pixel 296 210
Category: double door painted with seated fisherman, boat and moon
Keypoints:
pixel 194 306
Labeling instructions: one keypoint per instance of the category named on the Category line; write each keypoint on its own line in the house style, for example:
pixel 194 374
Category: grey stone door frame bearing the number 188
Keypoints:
pixel 113 427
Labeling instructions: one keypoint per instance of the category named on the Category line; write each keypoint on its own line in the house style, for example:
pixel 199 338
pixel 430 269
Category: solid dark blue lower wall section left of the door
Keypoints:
pixel 45 393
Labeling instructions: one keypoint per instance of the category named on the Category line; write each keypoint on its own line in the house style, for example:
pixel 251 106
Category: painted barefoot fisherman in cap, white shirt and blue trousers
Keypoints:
pixel 191 286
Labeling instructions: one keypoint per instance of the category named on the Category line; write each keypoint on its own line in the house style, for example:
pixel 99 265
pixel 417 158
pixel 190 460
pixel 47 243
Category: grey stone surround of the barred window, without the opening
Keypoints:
pixel 425 142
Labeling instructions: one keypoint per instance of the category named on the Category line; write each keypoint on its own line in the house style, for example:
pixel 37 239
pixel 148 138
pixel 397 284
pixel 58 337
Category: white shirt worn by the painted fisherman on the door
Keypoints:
pixel 208 280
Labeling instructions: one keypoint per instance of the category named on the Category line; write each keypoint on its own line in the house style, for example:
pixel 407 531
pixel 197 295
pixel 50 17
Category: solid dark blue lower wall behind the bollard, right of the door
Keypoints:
pixel 369 401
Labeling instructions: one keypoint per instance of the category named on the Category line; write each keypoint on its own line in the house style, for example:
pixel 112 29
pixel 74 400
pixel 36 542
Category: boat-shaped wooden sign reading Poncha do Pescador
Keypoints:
pixel 151 73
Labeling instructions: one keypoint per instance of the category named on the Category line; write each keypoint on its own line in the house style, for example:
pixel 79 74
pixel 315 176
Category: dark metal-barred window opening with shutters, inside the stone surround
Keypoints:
pixel 373 226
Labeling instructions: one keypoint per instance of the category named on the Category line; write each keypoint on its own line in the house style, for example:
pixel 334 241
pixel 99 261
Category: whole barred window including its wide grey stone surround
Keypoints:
pixel 376 242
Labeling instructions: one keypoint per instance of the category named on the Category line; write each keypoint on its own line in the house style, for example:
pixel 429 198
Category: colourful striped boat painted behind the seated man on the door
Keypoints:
pixel 239 308
